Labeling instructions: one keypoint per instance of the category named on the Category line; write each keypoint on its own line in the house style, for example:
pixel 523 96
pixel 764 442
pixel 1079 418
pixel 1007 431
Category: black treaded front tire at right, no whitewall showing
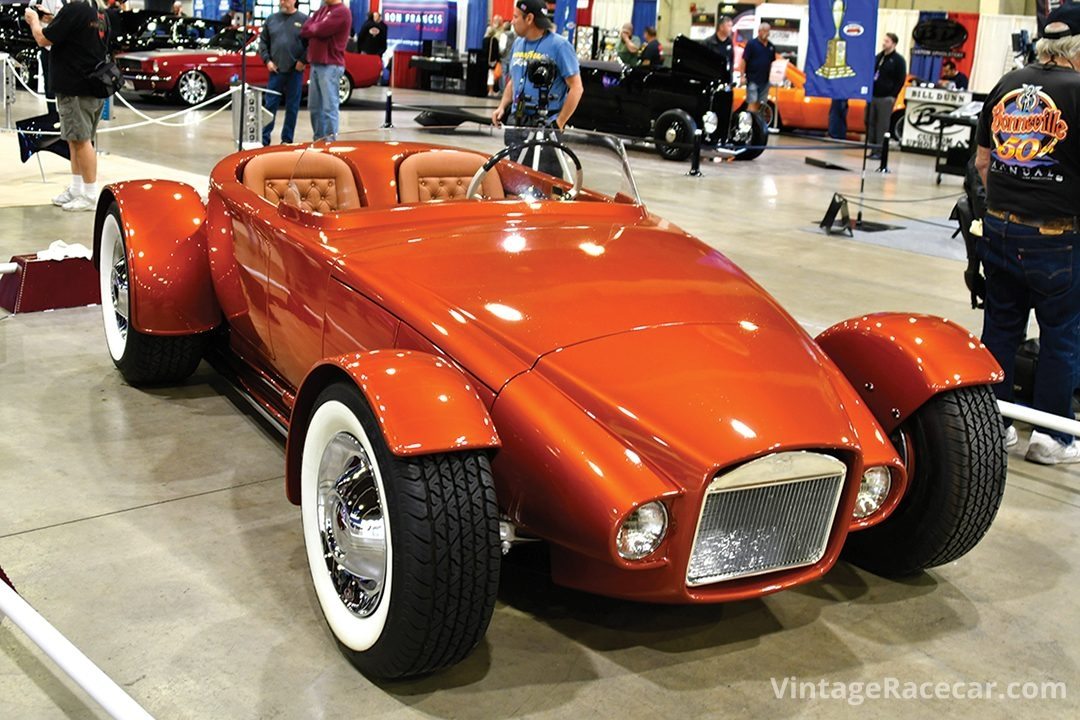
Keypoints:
pixel 957 465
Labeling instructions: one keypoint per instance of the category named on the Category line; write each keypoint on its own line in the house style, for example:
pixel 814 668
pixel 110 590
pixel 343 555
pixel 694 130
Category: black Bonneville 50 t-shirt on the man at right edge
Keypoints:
pixel 1031 123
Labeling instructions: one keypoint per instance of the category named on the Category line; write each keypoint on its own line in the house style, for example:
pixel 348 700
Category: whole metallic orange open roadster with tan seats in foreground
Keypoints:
pixel 467 352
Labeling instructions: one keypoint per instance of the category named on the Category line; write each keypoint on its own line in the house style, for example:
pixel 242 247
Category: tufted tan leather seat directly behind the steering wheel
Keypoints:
pixel 443 175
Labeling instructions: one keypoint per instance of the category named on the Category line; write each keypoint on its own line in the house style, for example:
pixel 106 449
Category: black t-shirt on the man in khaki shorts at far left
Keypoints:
pixel 78 34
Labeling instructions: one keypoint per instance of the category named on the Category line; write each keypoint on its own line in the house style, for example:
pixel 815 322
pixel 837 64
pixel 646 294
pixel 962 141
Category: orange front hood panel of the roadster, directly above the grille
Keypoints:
pixel 695 399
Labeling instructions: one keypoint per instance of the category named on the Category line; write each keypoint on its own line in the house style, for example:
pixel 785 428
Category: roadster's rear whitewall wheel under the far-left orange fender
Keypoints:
pixel 143 360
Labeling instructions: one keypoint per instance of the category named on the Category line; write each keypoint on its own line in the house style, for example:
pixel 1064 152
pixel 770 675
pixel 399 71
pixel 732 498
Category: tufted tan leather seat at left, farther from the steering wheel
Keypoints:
pixel 321 183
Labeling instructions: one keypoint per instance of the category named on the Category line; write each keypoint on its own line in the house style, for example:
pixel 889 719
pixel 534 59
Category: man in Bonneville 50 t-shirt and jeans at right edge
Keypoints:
pixel 1029 156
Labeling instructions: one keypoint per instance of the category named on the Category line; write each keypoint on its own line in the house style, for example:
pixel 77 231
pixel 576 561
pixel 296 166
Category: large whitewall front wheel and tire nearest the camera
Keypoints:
pixel 440 537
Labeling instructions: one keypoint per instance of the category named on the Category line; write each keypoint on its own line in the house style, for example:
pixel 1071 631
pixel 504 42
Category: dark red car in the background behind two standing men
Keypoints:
pixel 195 76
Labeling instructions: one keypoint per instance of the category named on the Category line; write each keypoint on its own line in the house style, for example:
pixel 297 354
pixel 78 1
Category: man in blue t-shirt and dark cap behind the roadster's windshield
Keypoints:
pixel 536 42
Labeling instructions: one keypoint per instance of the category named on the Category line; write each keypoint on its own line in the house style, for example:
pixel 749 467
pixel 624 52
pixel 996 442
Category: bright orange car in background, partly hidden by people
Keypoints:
pixel 801 112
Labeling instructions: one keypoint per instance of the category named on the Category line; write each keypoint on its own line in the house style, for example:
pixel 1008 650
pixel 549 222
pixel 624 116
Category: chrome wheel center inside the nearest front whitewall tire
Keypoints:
pixel 352 523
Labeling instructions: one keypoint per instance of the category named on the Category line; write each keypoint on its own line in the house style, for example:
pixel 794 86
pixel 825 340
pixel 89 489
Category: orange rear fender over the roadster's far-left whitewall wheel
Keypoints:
pixel 169 271
